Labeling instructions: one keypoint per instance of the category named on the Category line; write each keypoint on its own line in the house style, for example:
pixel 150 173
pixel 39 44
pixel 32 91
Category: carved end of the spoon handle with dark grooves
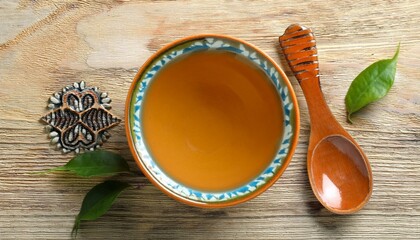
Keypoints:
pixel 299 47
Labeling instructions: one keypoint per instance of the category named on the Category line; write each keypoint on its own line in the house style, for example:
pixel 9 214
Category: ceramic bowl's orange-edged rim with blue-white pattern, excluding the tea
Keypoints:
pixel 144 159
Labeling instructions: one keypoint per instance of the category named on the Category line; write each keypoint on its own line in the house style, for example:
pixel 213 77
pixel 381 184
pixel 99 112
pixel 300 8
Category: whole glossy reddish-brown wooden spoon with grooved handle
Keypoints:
pixel 339 171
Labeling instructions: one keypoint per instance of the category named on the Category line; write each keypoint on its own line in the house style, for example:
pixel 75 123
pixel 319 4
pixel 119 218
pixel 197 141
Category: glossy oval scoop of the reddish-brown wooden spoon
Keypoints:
pixel 337 166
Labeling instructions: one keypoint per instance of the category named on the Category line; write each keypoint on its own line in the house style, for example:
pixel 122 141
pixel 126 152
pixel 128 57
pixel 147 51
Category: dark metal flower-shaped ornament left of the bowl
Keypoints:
pixel 79 118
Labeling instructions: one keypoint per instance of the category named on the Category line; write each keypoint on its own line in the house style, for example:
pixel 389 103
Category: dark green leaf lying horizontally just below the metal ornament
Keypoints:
pixel 96 163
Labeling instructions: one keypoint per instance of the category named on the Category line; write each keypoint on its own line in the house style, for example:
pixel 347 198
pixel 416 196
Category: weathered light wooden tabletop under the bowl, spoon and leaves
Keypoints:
pixel 45 45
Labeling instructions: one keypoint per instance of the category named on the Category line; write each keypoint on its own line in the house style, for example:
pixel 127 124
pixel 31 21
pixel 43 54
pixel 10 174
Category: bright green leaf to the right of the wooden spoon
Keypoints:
pixel 371 84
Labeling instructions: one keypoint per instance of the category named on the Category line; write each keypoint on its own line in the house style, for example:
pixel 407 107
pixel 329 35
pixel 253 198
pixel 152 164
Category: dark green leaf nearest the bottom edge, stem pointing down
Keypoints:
pixel 98 200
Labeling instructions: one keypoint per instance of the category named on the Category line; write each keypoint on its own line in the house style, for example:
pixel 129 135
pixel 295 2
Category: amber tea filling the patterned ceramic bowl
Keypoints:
pixel 212 120
